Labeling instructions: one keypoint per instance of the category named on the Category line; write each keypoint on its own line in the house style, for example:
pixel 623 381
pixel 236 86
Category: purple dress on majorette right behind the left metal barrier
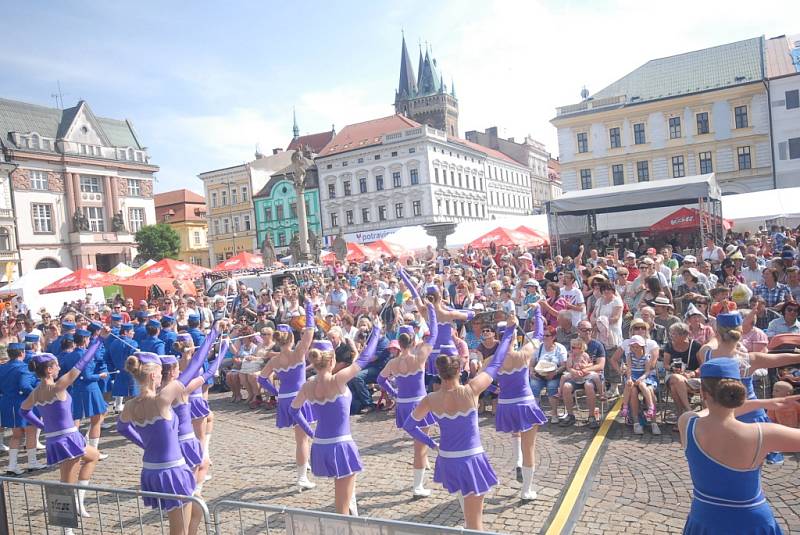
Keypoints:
pixel 163 467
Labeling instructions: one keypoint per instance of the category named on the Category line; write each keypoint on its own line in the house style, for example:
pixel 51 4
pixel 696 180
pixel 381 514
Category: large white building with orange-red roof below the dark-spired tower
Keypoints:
pixel 381 175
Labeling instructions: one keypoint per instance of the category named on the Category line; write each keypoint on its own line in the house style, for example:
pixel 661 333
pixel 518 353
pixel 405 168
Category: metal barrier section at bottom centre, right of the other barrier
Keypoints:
pixel 256 518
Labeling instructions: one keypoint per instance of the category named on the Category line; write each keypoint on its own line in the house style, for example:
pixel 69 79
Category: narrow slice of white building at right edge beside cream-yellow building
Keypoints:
pixel 783 71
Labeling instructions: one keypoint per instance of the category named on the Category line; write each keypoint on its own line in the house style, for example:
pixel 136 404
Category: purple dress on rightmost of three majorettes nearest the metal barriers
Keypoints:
pixel 462 466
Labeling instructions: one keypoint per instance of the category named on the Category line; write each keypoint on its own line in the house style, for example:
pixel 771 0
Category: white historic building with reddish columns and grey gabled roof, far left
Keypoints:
pixel 81 185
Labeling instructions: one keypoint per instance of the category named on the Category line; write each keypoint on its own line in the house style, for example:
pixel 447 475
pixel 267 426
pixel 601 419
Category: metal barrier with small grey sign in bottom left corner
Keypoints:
pixel 35 507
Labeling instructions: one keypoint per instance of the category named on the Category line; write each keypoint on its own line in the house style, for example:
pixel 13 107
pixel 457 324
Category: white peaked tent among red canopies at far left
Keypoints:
pixel 30 283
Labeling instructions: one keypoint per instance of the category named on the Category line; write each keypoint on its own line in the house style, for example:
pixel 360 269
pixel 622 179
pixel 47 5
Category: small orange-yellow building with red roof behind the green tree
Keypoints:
pixel 185 211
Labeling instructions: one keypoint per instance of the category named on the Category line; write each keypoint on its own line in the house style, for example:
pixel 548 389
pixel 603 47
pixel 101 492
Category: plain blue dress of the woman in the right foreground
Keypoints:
pixel 726 500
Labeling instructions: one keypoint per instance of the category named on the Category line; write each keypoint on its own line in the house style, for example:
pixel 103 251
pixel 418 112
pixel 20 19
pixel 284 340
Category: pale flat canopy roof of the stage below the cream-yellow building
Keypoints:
pixel 639 195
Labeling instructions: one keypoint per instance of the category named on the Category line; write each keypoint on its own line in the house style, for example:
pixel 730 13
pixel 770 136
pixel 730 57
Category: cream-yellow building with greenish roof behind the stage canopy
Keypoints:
pixel 705 111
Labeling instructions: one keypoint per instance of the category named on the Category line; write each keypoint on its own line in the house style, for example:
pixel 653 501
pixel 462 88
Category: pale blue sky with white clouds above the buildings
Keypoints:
pixel 205 82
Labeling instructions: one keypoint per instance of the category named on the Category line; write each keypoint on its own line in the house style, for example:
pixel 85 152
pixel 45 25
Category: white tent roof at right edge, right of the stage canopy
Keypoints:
pixel 751 210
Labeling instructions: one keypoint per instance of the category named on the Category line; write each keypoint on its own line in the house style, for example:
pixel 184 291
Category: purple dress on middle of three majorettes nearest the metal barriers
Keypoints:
pixel 333 452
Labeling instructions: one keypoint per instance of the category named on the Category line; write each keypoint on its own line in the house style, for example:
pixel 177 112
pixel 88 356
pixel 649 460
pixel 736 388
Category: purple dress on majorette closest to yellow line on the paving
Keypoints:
pixel 517 410
